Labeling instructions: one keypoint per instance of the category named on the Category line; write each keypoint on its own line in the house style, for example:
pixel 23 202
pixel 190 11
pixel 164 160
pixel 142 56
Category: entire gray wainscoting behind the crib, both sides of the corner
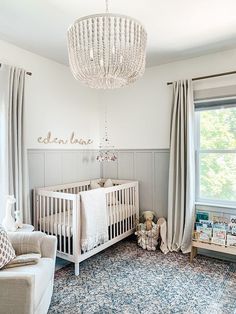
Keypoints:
pixel 149 167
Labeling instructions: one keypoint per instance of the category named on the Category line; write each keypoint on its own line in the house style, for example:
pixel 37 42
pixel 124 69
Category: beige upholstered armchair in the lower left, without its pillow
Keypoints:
pixel 28 289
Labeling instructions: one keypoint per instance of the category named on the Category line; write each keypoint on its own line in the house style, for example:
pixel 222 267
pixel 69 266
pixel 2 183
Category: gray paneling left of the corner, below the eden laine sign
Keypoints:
pixel 49 167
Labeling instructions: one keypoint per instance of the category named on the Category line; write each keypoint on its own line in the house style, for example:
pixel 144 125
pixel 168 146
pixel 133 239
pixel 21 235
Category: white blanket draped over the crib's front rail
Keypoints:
pixel 94 219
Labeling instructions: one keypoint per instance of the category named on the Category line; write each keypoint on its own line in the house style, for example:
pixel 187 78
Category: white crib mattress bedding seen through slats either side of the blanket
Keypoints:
pixel 55 225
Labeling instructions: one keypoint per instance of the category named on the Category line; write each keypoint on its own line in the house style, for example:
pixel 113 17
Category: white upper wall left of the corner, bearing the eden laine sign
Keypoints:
pixel 54 100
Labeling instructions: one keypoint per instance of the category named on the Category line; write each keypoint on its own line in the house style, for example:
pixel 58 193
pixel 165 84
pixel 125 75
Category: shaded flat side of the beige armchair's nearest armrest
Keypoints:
pixel 16 293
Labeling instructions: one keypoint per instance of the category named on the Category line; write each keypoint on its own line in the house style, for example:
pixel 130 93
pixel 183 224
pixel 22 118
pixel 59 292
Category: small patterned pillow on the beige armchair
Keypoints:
pixel 7 252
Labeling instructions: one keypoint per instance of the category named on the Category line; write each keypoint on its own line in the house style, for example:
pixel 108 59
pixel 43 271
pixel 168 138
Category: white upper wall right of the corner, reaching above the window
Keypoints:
pixel 139 115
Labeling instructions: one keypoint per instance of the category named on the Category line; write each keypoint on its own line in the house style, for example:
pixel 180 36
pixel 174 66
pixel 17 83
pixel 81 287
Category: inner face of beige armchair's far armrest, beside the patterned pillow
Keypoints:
pixel 26 242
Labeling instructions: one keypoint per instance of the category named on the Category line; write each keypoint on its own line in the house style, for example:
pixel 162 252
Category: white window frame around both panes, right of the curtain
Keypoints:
pixel 198 151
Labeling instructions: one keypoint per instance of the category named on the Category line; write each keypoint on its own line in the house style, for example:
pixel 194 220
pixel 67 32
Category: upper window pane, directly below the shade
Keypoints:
pixel 218 129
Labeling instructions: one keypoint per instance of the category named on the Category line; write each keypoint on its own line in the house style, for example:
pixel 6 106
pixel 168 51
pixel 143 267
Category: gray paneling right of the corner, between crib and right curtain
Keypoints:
pixel 151 169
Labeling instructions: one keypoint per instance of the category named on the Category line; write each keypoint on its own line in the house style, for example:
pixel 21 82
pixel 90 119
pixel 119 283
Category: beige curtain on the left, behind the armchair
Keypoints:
pixel 13 155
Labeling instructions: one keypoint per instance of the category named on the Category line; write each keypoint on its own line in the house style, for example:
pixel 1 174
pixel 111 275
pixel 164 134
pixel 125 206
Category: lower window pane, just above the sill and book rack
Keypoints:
pixel 218 176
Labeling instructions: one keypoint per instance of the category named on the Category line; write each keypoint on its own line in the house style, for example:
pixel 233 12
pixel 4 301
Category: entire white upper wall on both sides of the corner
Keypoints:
pixel 138 115
